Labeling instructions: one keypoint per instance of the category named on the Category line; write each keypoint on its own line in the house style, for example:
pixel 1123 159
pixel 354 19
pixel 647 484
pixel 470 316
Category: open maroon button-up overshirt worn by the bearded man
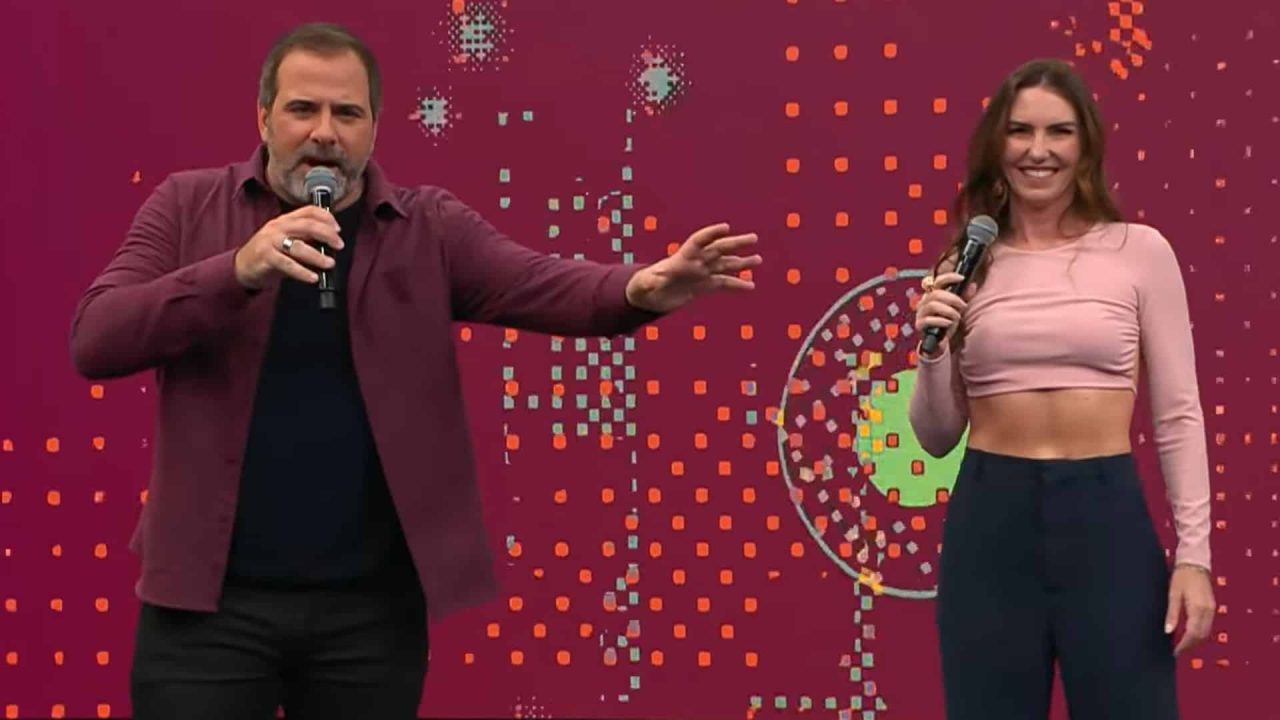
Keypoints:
pixel 170 300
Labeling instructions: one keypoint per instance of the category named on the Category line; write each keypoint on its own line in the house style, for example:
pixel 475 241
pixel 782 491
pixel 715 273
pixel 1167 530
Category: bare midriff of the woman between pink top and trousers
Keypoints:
pixel 1068 425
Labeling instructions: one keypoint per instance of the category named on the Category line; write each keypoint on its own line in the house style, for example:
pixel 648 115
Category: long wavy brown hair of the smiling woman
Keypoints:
pixel 986 190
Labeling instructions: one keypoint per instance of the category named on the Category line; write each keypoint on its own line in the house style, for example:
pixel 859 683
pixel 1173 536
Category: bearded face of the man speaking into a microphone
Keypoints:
pixel 322 116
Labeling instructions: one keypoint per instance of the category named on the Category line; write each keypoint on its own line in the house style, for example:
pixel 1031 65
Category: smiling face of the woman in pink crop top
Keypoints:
pixel 1043 151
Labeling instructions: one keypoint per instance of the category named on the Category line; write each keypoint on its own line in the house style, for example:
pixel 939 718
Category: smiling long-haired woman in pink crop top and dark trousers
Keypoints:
pixel 1049 553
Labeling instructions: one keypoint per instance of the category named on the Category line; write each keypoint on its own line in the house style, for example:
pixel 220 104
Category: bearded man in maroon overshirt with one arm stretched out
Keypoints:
pixel 313 496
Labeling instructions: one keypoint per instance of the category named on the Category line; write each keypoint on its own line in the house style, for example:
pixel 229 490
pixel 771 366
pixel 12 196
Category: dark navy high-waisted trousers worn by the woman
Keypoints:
pixel 1053 562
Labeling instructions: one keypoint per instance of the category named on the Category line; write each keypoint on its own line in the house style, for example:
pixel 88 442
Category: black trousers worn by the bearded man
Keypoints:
pixel 319 654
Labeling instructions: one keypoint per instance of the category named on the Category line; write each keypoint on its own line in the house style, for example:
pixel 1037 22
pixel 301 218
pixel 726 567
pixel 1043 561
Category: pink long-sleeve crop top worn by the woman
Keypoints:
pixel 1075 317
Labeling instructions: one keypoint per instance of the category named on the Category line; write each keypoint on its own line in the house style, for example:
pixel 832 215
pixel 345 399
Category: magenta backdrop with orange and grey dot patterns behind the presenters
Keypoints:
pixel 655 562
